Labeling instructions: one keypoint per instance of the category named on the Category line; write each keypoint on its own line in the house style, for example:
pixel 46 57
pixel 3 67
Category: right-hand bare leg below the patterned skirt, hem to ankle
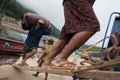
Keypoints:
pixel 77 41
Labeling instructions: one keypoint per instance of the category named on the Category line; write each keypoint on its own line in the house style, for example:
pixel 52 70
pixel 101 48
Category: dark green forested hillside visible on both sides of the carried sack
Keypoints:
pixel 15 10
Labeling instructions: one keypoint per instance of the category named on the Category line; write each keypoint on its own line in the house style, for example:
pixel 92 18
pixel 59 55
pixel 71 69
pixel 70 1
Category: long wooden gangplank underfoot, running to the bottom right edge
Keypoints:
pixel 93 74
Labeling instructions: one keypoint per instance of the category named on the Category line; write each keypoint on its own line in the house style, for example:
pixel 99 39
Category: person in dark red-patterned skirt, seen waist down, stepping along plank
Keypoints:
pixel 80 24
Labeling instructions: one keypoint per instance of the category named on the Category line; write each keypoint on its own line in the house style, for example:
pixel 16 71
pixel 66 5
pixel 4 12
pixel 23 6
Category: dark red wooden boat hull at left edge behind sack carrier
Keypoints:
pixel 8 46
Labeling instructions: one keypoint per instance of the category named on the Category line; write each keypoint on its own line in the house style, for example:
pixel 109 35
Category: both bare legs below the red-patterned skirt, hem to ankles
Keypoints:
pixel 77 40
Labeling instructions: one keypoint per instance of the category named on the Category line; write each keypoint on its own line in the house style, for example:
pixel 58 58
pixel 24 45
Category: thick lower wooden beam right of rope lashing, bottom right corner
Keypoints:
pixel 100 75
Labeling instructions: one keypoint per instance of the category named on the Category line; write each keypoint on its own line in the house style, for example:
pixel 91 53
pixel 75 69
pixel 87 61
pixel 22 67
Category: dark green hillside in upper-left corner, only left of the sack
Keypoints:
pixel 12 8
